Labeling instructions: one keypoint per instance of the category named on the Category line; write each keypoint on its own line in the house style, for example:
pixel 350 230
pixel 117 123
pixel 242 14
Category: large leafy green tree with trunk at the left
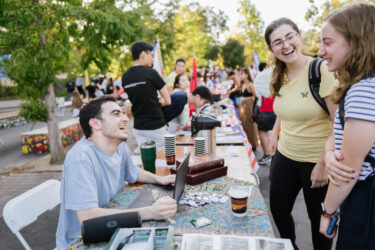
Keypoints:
pixel 40 34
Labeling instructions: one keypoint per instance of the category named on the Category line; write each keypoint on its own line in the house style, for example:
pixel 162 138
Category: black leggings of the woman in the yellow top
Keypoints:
pixel 287 177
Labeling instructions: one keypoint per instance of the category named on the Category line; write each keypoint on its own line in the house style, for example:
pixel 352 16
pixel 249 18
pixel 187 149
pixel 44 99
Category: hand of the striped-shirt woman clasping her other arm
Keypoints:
pixel 337 172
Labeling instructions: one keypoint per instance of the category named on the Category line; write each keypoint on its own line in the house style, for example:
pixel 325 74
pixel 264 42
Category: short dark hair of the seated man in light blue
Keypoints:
pixel 93 109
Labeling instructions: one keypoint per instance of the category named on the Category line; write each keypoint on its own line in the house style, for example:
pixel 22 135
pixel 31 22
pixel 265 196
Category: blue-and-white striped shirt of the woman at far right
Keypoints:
pixel 360 105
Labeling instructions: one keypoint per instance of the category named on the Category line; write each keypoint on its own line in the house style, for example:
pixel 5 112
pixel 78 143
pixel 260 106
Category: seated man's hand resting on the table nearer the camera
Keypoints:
pixel 163 208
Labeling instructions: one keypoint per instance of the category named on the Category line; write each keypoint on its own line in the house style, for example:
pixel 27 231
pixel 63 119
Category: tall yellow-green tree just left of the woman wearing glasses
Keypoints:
pixel 253 26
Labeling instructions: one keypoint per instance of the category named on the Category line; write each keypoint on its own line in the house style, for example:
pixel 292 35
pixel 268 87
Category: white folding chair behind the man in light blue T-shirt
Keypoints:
pixel 24 209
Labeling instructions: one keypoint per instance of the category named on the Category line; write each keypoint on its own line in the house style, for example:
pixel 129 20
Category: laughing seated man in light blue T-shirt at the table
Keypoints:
pixel 96 168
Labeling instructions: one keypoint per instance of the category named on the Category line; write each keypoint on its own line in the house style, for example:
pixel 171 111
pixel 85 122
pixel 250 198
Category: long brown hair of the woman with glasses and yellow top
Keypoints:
pixel 279 70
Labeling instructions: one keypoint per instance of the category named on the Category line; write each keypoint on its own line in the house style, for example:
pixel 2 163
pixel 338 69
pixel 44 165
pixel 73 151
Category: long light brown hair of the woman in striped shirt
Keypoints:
pixel 356 22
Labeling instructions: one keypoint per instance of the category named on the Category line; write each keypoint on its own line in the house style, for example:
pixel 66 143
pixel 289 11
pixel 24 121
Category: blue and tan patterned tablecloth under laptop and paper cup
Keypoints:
pixel 255 223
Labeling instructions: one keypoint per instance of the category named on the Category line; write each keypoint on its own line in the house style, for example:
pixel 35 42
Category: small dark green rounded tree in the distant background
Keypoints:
pixel 233 54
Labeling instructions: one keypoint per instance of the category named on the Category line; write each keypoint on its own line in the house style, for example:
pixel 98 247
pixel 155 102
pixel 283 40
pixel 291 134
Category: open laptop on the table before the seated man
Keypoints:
pixel 148 196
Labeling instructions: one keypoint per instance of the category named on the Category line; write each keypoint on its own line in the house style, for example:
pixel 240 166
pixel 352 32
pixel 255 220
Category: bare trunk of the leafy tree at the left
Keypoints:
pixel 55 144
